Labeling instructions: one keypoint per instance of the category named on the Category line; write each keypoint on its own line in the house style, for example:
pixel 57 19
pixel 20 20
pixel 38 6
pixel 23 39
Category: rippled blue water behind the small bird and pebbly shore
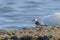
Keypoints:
pixel 15 14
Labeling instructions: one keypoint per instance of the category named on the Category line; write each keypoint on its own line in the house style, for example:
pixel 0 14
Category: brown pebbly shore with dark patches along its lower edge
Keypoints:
pixel 40 33
